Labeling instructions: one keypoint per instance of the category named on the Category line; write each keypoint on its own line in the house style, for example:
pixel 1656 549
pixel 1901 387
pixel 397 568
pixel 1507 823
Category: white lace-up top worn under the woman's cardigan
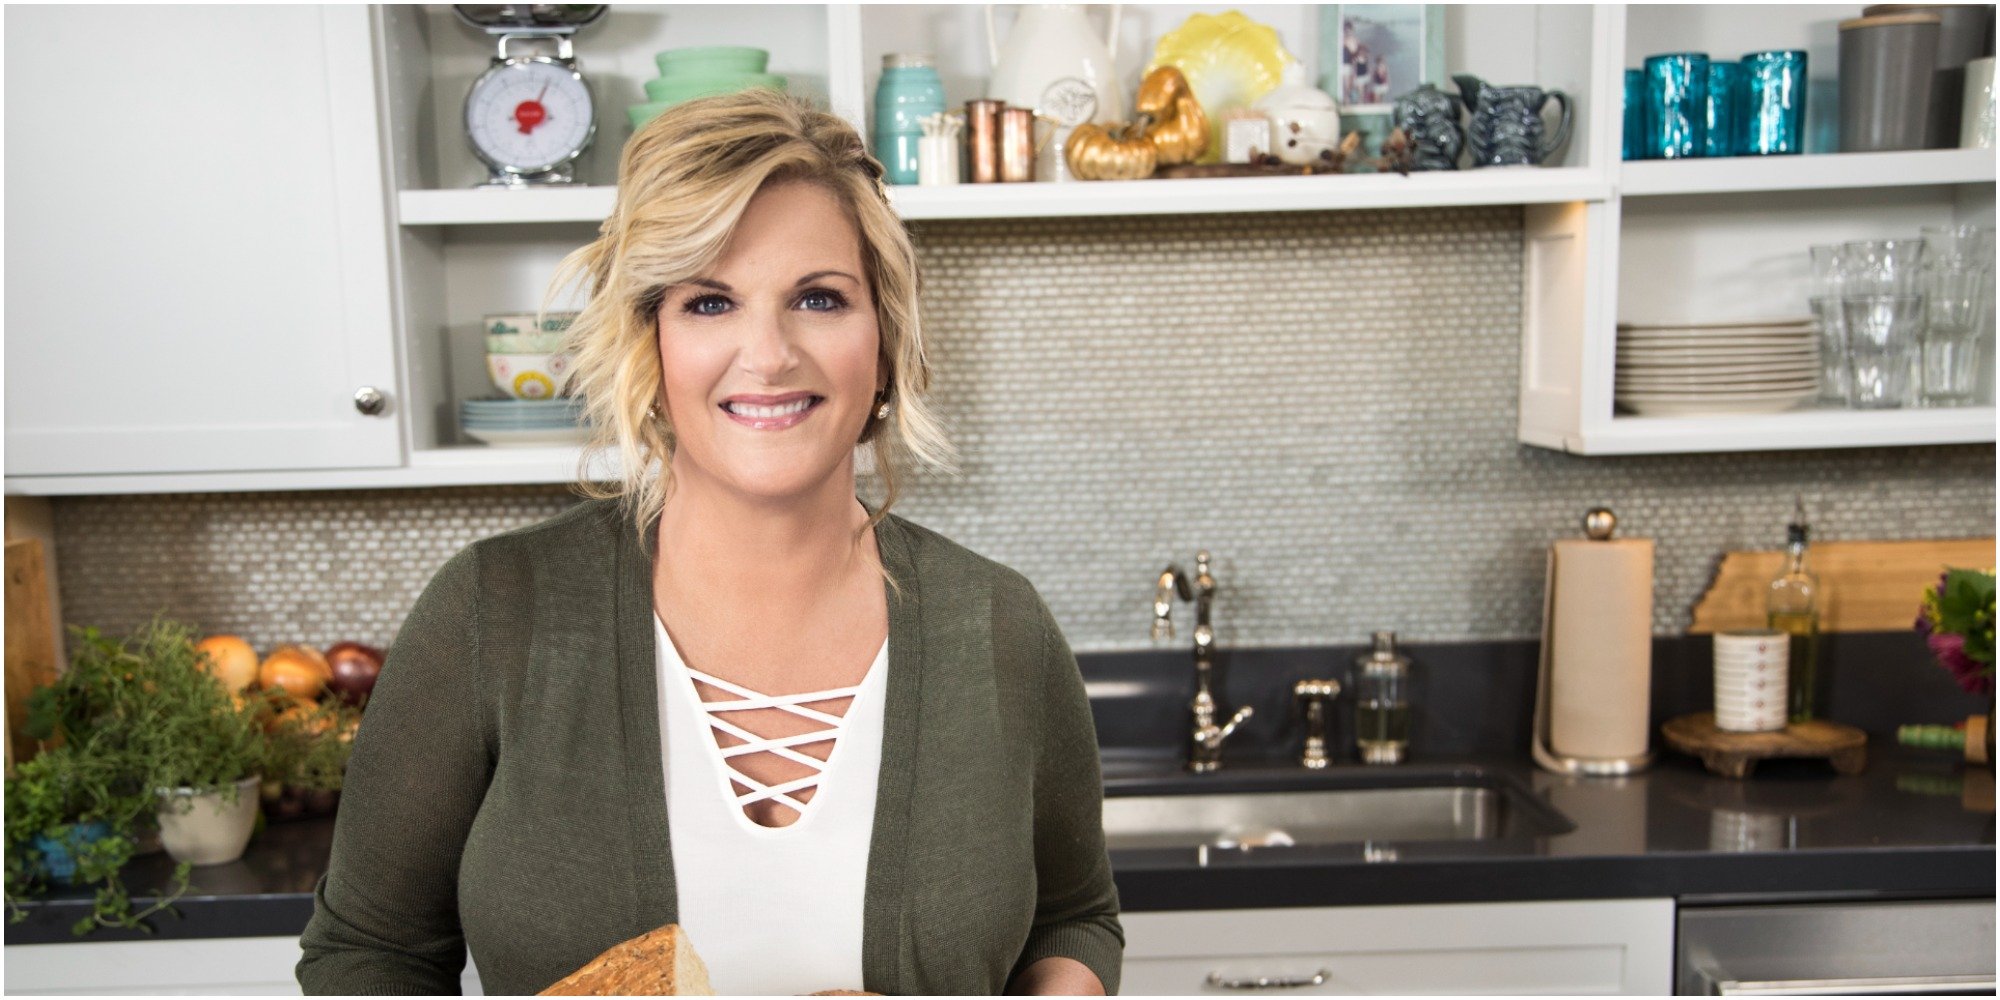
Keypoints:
pixel 771 909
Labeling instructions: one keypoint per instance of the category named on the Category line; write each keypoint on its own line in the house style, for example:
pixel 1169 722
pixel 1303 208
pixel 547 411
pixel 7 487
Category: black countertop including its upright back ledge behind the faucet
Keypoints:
pixel 1913 825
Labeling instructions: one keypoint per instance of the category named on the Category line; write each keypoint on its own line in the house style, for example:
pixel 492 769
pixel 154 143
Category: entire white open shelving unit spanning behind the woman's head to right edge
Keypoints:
pixel 1605 241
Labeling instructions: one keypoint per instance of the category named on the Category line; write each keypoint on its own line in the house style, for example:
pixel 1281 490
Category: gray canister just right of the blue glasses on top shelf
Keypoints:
pixel 1887 69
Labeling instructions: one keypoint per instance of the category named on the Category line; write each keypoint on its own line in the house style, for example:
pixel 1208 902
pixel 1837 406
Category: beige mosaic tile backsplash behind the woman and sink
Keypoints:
pixel 1325 401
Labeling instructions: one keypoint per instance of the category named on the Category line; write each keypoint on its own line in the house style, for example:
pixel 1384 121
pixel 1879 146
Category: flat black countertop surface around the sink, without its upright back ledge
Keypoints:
pixel 1913 825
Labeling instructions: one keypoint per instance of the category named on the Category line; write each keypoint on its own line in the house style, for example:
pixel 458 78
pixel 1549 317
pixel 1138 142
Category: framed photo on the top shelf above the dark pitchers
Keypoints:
pixel 1373 55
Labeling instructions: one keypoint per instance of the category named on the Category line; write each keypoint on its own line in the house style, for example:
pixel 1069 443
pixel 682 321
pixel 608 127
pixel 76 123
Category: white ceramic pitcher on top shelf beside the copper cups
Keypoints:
pixel 1049 51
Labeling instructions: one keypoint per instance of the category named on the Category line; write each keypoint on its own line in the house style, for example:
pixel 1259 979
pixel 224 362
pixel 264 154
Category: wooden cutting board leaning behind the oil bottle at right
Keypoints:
pixel 1871 587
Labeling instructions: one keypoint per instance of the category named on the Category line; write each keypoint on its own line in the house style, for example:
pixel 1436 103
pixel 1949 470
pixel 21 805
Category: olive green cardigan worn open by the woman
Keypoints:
pixel 507 787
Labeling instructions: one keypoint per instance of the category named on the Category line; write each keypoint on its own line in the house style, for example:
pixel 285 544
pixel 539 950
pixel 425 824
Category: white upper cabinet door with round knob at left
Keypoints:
pixel 197 243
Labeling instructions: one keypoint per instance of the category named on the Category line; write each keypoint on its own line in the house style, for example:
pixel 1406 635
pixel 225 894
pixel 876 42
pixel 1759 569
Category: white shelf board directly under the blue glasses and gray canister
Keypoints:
pixel 1807 173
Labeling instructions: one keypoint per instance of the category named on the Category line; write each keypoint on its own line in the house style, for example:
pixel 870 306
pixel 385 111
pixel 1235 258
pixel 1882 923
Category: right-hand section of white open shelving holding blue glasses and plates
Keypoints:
pixel 1701 241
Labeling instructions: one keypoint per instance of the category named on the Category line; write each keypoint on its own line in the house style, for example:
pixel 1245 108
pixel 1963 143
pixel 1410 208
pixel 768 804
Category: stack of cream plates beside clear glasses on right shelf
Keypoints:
pixel 1749 367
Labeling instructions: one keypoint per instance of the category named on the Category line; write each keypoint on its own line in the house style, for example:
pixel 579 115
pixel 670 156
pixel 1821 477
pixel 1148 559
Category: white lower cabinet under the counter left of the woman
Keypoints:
pixel 227 967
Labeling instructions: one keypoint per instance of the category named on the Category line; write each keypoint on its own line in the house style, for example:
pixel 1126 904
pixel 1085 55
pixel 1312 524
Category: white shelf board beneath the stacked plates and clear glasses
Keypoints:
pixel 1791 431
